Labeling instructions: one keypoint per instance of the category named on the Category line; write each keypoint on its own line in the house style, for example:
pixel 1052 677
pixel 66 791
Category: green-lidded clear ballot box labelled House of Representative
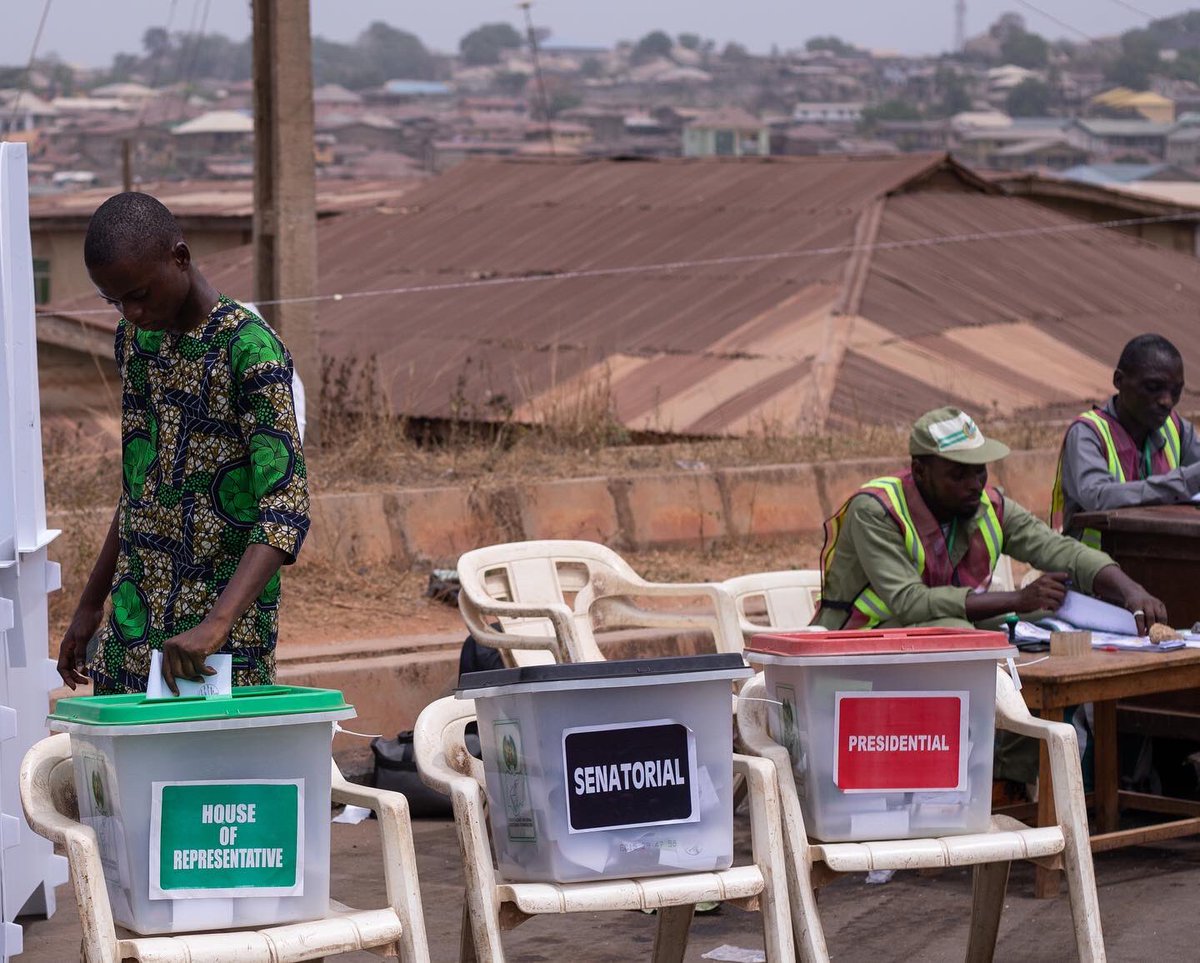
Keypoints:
pixel 209 814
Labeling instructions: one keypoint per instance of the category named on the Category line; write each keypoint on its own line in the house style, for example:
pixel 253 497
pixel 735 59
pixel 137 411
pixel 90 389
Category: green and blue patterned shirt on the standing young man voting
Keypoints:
pixel 212 463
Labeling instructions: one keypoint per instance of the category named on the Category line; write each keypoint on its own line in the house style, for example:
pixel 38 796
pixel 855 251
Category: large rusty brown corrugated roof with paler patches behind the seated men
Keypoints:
pixel 725 336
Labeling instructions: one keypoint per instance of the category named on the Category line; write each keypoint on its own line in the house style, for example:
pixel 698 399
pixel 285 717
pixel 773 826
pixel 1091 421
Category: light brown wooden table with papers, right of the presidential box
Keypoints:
pixel 1101 679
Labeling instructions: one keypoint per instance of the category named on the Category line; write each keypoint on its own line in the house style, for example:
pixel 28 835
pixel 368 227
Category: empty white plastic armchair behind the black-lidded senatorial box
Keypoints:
pixel 551 596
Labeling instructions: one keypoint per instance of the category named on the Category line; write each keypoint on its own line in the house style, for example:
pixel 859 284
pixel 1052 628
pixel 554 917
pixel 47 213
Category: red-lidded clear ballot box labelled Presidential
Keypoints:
pixel 891 732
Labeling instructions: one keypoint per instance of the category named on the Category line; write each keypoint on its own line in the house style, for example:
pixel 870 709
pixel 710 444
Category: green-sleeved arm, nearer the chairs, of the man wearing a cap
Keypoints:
pixel 881 552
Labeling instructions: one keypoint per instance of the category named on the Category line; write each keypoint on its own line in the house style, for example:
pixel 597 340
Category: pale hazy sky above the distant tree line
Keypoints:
pixel 91 32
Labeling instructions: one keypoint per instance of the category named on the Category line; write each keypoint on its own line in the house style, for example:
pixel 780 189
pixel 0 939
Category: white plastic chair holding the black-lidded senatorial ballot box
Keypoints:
pixel 494 906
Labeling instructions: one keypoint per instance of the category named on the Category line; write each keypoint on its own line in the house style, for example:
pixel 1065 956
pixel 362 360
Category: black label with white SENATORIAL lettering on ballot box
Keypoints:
pixel 625 776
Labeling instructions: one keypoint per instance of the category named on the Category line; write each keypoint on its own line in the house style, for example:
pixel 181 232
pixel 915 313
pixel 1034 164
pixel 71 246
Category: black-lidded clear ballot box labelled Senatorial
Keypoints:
pixel 610 769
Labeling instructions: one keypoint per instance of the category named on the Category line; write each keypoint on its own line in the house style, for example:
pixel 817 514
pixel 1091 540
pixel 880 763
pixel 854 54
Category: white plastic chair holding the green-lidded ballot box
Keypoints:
pixel 49 797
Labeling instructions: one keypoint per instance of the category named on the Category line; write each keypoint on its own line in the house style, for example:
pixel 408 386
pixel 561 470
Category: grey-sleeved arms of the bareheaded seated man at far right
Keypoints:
pixel 1087 480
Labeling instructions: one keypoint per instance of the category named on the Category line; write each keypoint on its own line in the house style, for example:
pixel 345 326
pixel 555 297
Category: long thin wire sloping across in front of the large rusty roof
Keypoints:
pixel 713 262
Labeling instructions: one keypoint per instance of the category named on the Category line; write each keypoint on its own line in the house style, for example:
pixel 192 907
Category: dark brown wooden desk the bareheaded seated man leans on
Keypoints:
pixel 1159 547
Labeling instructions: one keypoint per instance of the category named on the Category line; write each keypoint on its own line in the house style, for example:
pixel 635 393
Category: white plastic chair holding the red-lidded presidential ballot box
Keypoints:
pixel 814 864
